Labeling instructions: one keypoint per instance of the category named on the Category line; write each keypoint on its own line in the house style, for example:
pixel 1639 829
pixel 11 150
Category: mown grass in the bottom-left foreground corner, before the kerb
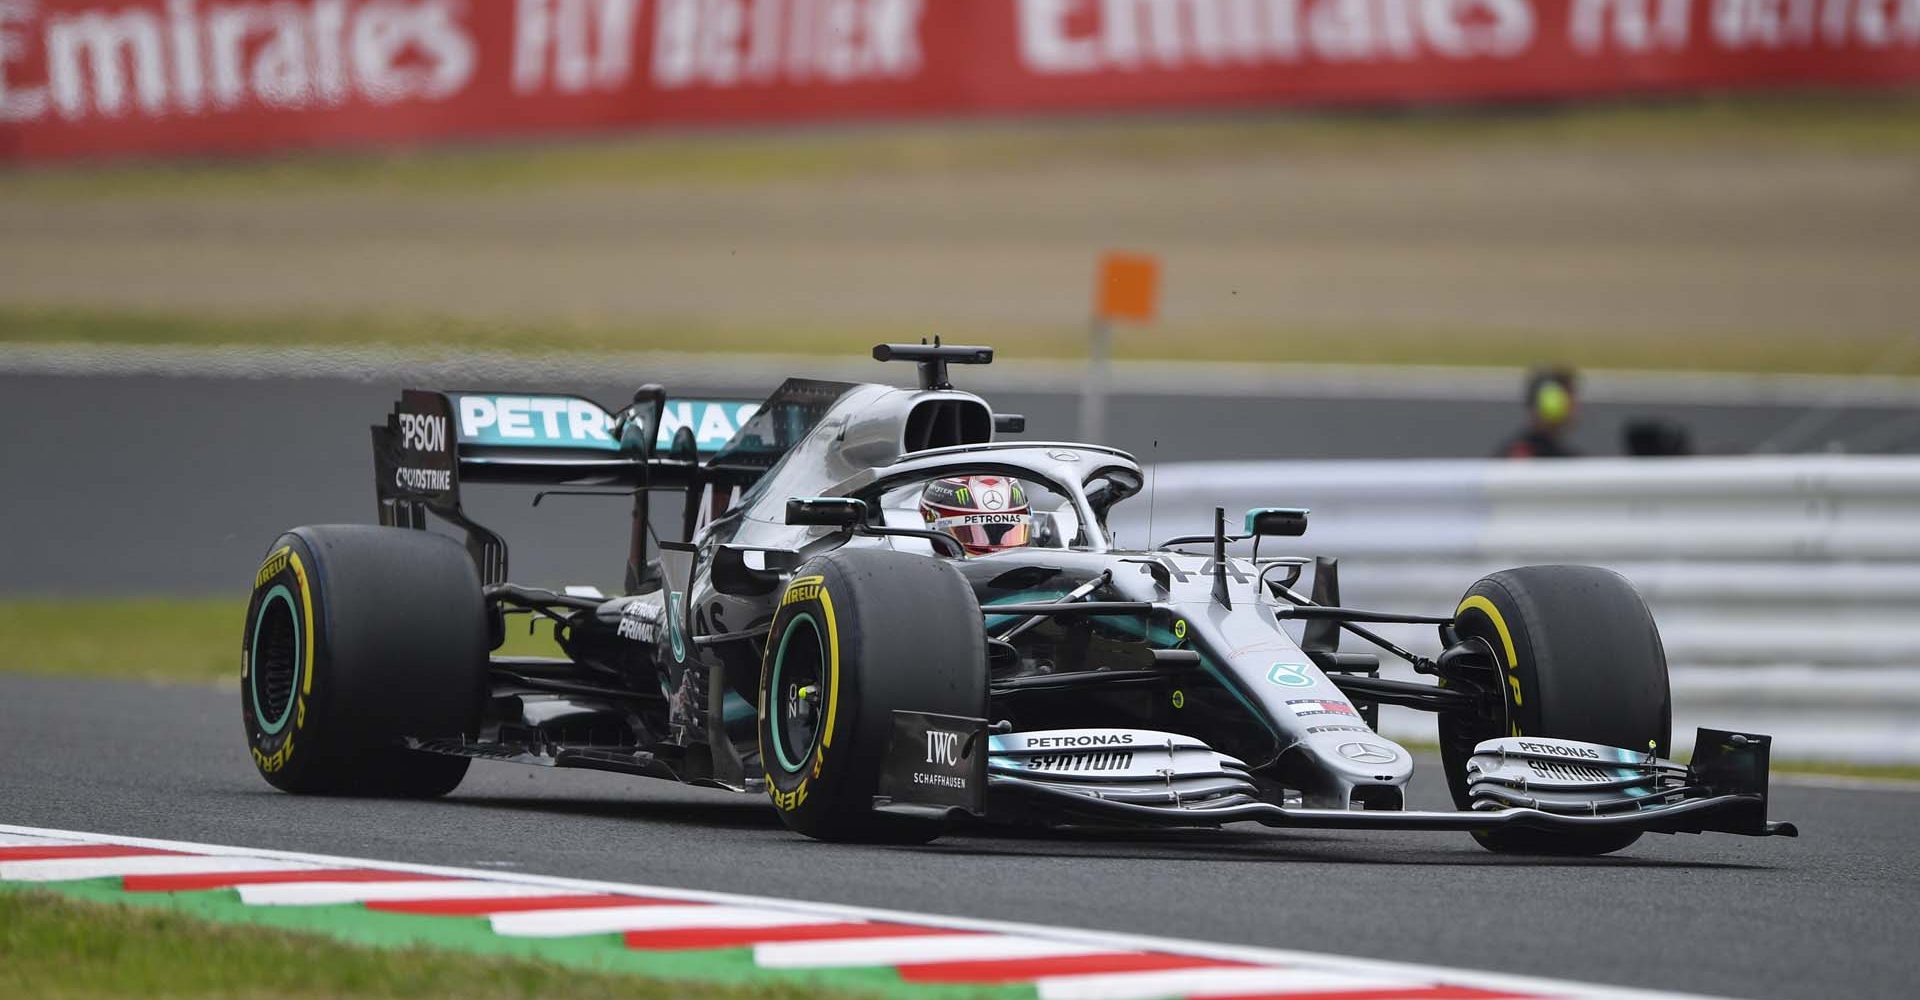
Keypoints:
pixel 57 949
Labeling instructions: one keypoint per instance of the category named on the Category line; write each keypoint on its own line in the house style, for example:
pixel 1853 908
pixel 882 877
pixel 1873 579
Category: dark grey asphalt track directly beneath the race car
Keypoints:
pixel 1825 917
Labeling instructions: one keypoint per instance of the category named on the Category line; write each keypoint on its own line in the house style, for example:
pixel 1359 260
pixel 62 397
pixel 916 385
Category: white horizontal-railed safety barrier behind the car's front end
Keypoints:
pixel 1787 588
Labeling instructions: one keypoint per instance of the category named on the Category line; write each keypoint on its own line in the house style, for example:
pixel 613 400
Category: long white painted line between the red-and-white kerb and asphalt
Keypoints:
pixel 1095 940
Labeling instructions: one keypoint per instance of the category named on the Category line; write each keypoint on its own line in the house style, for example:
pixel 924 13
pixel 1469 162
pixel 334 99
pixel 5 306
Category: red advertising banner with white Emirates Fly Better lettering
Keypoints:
pixel 166 78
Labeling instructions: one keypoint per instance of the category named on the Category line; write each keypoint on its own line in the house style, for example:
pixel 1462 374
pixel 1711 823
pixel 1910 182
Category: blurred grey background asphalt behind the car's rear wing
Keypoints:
pixel 178 485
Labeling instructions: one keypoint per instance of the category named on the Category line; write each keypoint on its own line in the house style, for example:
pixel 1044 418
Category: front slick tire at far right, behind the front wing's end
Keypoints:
pixel 1581 659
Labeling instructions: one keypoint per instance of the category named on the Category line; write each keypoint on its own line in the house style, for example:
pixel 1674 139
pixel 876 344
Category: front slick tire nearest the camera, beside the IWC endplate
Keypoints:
pixel 861 634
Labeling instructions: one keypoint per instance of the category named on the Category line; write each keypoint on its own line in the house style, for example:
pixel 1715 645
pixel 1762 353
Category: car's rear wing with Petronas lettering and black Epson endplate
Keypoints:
pixel 435 442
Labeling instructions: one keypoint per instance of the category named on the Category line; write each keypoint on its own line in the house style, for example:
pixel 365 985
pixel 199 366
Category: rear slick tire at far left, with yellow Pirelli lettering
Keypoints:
pixel 356 638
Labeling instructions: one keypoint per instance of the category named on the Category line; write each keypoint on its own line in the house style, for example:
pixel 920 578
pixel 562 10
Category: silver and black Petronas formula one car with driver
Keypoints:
pixel 886 619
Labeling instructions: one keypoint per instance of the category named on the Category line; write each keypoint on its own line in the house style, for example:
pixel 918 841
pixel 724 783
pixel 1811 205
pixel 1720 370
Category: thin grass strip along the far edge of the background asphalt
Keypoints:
pixel 412 333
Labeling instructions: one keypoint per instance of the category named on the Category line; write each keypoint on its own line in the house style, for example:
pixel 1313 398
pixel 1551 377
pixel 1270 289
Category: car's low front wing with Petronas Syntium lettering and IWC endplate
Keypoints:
pixel 1164 780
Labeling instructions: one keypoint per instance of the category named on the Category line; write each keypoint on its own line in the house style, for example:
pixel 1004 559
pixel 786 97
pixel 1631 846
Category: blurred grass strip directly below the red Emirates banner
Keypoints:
pixel 1727 124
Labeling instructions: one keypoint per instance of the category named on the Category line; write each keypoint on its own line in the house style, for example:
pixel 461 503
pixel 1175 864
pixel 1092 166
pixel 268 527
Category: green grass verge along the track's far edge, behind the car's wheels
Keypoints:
pixel 199 642
